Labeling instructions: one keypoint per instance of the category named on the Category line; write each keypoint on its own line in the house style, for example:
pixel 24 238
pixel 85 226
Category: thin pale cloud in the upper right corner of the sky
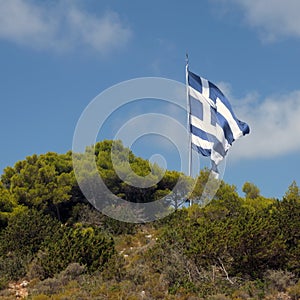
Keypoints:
pixel 274 18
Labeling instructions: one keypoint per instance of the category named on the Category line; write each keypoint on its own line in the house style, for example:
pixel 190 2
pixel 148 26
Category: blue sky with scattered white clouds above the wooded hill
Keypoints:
pixel 56 56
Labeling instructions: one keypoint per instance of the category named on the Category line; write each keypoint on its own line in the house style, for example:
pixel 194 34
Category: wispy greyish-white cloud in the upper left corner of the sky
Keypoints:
pixel 61 27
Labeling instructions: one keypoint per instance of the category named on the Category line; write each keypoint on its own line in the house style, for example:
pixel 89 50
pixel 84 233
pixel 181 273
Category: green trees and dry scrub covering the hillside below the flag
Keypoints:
pixel 56 245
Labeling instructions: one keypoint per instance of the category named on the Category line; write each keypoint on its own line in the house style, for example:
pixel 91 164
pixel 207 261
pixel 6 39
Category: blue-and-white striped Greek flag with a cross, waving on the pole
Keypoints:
pixel 213 124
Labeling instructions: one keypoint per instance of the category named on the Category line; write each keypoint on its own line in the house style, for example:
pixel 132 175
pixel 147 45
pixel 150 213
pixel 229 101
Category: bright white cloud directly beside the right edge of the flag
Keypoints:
pixel 274 124
